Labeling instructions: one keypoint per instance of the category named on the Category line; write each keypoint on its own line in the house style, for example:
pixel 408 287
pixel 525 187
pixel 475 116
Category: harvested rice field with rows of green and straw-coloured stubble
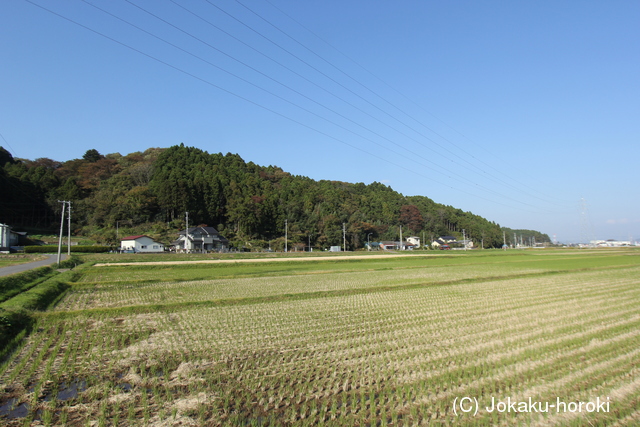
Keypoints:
pixel 388 341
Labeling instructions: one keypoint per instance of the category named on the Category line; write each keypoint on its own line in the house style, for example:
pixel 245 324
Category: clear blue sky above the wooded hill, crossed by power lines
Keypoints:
pixel 511 110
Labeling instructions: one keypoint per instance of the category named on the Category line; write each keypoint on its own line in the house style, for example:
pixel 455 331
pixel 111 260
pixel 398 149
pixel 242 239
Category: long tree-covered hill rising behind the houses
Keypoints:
pixel 149 193
